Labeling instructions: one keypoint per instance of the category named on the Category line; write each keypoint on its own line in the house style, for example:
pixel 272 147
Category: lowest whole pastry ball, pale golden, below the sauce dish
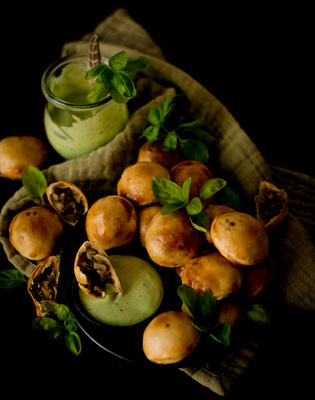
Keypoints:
pixel 170 337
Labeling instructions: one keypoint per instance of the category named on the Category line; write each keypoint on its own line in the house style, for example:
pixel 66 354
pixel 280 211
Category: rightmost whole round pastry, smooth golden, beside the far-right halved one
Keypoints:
pixel 240 238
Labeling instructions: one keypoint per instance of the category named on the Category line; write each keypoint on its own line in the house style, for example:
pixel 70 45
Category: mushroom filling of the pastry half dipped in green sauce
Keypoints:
pixel 95 267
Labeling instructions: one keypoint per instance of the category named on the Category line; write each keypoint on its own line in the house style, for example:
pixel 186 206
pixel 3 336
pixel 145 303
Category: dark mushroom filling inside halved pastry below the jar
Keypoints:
pixel 69 205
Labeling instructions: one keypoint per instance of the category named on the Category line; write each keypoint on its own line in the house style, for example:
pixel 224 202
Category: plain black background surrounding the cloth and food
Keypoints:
pixel 258 62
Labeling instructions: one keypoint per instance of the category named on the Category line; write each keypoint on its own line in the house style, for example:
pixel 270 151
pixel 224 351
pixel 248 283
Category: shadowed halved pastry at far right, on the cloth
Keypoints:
pixel 271 204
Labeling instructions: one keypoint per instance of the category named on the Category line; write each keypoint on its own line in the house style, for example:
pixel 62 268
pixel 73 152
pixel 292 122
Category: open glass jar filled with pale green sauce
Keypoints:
pixel 73 125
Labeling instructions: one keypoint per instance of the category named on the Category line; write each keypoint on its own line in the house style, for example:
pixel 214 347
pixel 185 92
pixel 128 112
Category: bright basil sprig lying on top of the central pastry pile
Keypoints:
pixel 173 197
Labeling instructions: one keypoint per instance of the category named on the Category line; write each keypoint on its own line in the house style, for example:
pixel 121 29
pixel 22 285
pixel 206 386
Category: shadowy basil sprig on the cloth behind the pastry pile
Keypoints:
pixel 191 139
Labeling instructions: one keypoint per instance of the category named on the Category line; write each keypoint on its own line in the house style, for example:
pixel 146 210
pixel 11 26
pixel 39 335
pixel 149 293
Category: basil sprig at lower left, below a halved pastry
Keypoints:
pixel 60 324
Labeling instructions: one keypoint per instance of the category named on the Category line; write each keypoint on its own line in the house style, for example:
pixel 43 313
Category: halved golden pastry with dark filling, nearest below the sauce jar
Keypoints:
pixel 67 200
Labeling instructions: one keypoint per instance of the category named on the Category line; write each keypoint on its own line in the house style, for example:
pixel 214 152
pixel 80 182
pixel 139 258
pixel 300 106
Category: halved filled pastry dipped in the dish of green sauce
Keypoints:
pixel 93 271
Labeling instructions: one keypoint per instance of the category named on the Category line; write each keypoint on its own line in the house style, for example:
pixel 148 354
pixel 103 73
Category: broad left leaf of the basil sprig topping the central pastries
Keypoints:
pixel 167 192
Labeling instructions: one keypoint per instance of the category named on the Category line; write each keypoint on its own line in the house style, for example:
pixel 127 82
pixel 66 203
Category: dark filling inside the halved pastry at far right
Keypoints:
pixel 270 204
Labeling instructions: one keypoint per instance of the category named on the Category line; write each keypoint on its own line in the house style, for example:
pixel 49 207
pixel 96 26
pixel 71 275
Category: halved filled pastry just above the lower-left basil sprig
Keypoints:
pixel 43 282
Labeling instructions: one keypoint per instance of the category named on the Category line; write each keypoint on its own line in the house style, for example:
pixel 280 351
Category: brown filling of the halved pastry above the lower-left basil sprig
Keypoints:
pixel 44 286
